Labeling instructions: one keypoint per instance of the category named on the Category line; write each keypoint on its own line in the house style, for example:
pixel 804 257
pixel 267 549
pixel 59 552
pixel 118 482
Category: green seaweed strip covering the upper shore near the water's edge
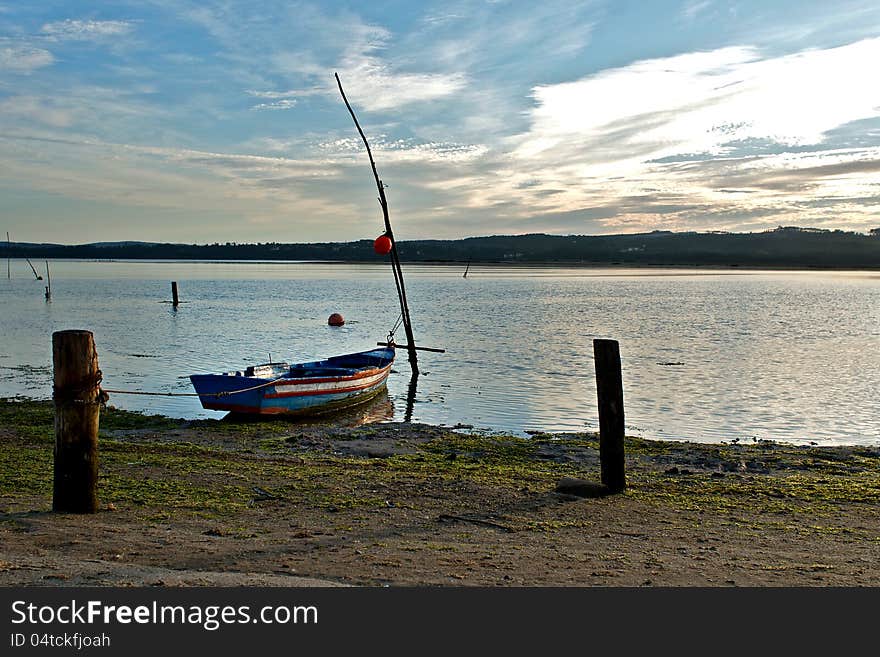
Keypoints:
pixel 210 468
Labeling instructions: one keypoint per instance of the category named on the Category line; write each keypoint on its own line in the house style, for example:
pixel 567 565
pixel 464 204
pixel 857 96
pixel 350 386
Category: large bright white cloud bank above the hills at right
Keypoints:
pixel 698 125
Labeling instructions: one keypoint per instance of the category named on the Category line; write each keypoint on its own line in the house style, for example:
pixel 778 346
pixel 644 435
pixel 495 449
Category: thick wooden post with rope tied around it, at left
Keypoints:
pixel 77 410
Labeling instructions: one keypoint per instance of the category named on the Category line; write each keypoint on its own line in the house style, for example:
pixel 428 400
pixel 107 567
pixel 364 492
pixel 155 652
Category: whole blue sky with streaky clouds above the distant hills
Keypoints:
pixel 220 120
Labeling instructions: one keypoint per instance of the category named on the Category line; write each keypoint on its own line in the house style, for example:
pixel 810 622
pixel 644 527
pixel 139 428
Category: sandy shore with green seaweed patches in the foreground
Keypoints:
pixel 213 502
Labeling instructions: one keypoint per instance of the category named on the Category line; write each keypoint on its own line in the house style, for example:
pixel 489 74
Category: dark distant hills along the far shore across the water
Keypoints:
pixel 783 247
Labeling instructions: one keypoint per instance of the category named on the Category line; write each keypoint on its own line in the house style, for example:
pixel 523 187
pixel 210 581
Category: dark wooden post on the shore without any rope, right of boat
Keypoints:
pixel 609 385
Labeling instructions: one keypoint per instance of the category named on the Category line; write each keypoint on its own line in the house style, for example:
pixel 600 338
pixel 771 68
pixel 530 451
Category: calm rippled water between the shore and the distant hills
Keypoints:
pixel 707 355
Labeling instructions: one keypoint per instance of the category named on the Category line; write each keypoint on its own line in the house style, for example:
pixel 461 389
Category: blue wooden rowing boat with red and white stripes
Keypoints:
pixel 316 387
